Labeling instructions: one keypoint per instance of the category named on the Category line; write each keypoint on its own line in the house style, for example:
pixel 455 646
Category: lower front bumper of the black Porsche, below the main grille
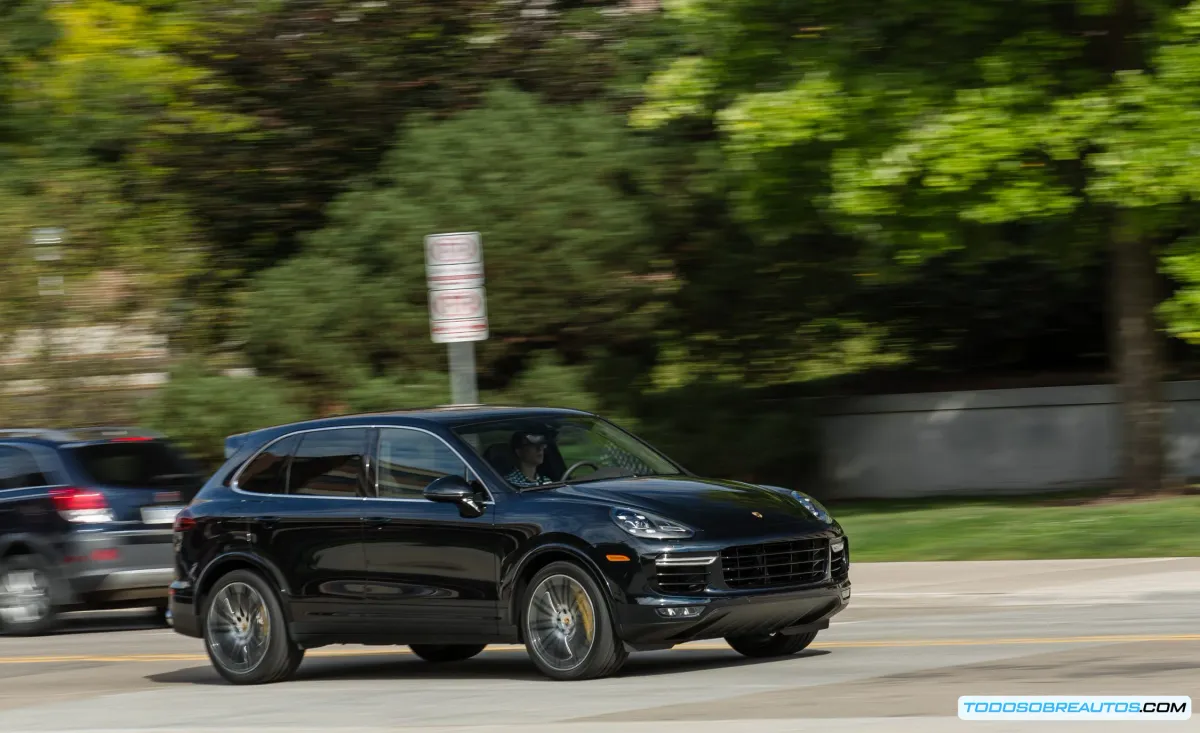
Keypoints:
pixel 644 624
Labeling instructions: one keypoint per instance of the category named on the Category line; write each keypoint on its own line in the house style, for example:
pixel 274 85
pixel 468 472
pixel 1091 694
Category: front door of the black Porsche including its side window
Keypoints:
pixel 431 570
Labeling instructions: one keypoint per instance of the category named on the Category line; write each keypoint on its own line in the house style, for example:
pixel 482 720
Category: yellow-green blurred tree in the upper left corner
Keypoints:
pixel 91 91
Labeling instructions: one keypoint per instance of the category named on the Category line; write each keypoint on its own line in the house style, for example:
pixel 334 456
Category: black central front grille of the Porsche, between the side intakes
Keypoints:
pixel 776 564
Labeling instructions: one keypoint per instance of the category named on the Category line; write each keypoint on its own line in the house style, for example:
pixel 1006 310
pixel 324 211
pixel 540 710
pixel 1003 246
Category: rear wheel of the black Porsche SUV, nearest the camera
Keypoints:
pixel 272 656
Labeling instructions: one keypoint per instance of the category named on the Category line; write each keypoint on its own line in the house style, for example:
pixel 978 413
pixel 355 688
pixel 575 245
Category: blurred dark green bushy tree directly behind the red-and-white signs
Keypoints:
pixel 553 191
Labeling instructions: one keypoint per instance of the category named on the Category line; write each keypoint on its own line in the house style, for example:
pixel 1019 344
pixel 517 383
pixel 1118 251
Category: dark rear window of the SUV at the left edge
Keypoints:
pixel 149 465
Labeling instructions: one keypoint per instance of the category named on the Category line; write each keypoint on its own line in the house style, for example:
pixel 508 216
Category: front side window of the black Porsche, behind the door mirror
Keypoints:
pixel 411 460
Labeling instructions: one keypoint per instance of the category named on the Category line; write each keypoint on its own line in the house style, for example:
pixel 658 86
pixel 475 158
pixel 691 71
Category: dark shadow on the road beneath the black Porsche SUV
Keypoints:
pixel 501 666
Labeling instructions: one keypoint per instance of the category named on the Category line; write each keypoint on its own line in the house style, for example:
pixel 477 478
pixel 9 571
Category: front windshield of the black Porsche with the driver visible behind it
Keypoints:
pixel 541 452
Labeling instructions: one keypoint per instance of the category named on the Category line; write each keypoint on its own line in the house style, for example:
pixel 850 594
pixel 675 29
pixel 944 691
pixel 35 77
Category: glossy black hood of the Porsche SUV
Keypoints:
pixel 713 508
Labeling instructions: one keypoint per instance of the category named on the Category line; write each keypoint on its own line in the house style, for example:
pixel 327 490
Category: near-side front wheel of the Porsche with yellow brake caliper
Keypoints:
pixel 585 610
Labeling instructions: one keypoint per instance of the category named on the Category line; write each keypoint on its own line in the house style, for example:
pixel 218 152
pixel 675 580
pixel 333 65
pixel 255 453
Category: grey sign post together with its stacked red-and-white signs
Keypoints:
pixel 454 272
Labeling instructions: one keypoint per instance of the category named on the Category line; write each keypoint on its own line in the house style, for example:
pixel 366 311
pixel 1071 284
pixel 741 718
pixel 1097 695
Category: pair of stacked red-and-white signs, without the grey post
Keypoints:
pixel 454 267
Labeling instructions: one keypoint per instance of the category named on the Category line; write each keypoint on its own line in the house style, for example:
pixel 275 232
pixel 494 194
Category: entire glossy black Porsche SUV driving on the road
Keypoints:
pixel 454 528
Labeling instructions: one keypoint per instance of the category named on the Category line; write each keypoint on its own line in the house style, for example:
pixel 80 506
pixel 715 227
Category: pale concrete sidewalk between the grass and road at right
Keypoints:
pixel 1023 582
